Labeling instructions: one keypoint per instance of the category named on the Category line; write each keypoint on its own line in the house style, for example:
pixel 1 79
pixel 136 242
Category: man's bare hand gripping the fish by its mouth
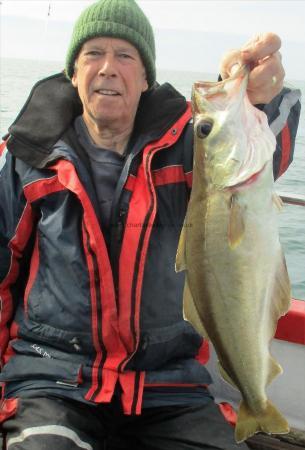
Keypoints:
pixel 262 55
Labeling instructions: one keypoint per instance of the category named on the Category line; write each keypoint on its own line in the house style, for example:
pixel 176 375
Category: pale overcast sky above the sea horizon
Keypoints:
pixel 190 35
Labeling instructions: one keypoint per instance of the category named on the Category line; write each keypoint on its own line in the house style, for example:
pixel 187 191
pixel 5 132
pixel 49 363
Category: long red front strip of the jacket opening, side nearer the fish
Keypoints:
pixel 142 208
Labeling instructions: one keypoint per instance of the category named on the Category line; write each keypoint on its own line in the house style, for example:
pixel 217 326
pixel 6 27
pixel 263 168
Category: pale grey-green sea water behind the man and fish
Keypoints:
pixel 18 76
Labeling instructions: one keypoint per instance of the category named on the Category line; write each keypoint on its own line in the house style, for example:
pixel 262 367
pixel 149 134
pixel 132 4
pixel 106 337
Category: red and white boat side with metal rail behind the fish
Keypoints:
pixel 287 391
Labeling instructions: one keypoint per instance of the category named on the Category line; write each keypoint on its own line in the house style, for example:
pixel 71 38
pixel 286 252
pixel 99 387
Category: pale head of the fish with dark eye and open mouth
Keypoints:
pixel 232 139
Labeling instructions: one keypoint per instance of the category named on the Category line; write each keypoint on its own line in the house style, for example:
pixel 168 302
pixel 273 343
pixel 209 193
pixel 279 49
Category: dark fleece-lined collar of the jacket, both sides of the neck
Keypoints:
pixel 53 104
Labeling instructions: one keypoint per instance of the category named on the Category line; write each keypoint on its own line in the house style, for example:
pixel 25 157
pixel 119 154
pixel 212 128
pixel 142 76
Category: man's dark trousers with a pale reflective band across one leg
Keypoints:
pixel 60 424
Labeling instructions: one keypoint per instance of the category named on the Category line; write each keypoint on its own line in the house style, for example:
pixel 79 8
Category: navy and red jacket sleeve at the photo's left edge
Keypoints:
pixel 16 220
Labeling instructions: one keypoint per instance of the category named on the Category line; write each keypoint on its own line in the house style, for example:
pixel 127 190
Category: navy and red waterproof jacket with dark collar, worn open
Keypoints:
pixel 77 318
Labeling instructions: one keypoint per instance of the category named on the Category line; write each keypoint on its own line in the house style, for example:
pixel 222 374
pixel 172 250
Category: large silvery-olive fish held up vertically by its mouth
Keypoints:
pixel 236 280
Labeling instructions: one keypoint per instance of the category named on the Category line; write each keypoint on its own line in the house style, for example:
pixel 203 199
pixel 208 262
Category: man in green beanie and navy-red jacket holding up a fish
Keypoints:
pixel 93 195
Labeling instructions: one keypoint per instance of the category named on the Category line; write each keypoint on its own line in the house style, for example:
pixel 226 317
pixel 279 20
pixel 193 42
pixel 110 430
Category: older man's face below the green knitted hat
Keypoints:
pixel 110 78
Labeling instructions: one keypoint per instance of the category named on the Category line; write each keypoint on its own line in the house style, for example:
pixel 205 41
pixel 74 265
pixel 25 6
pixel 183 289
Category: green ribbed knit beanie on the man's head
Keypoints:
pixel 121 19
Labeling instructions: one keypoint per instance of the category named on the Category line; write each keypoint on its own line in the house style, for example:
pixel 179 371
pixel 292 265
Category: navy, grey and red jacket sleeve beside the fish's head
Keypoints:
pixel 283 114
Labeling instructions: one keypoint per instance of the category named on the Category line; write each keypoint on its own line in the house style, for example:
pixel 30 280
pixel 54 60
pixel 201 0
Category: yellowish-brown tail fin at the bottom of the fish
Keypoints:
pixel 270 421
